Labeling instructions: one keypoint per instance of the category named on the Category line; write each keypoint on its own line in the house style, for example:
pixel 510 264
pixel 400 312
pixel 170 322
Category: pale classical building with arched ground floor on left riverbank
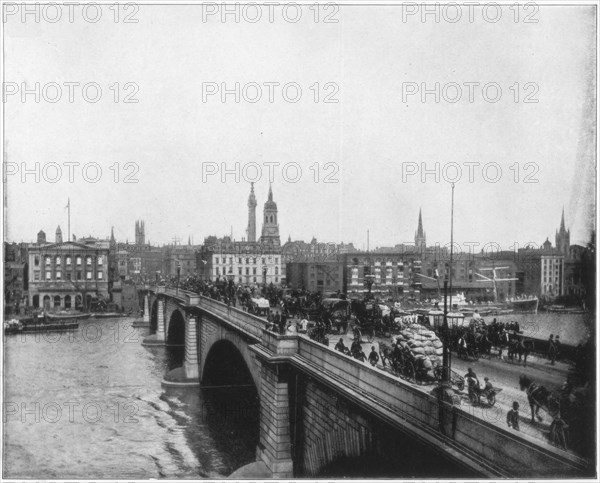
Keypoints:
pixel 71 274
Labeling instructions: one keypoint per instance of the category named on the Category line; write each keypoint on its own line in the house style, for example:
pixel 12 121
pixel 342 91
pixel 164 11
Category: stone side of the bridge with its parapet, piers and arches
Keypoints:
pixel 342 407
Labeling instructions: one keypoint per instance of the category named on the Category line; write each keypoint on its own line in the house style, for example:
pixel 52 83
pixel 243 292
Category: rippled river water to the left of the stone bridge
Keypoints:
pixel 89 404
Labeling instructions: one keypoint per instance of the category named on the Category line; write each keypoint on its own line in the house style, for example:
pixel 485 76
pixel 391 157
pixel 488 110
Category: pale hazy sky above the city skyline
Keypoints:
pixel 372 57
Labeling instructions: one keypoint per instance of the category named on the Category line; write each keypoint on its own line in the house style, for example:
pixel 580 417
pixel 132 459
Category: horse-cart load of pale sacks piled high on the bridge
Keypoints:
pixel 415 353
